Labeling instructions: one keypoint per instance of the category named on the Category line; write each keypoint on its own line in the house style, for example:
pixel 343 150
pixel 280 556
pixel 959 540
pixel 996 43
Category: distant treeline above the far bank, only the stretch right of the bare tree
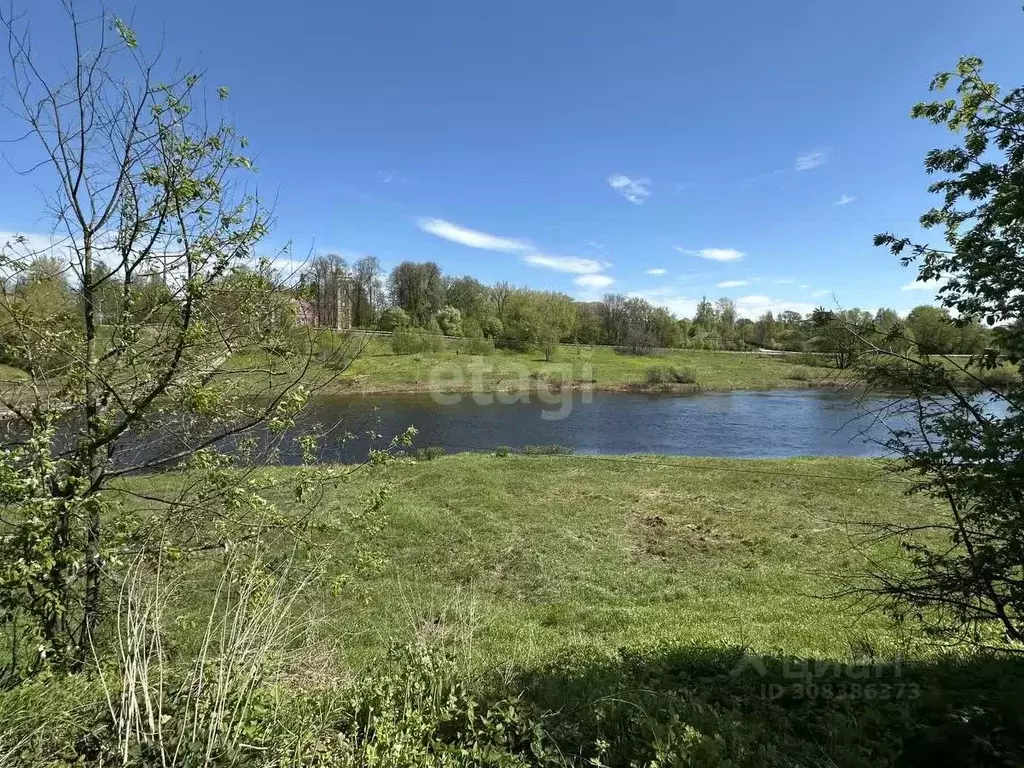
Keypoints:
pixel 419 295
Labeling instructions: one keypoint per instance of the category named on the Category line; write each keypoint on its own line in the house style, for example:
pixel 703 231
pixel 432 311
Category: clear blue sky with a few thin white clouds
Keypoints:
pixel 748 150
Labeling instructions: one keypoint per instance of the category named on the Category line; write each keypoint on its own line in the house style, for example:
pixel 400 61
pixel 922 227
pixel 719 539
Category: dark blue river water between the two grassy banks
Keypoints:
pixel 774 424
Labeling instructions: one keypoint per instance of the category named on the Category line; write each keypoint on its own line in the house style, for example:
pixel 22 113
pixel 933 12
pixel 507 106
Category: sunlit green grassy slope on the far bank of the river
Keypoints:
pixel 379 370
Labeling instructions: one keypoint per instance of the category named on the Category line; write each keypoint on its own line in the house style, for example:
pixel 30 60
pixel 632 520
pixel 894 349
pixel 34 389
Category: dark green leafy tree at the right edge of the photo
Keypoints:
pixel 966 447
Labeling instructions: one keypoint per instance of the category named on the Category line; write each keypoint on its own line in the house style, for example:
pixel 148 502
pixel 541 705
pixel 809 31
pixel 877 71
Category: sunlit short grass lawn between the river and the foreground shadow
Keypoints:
pixel 520 559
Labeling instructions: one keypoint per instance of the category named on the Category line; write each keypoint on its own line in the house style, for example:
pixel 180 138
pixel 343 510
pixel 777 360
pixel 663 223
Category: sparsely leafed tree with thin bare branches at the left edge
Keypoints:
pixel 164 340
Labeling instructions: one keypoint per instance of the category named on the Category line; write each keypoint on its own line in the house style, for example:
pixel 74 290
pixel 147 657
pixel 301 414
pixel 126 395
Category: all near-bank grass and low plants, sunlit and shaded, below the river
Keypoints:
pixel 559 611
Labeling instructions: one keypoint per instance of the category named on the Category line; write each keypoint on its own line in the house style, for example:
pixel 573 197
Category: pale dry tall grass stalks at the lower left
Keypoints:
pixel 251 639
